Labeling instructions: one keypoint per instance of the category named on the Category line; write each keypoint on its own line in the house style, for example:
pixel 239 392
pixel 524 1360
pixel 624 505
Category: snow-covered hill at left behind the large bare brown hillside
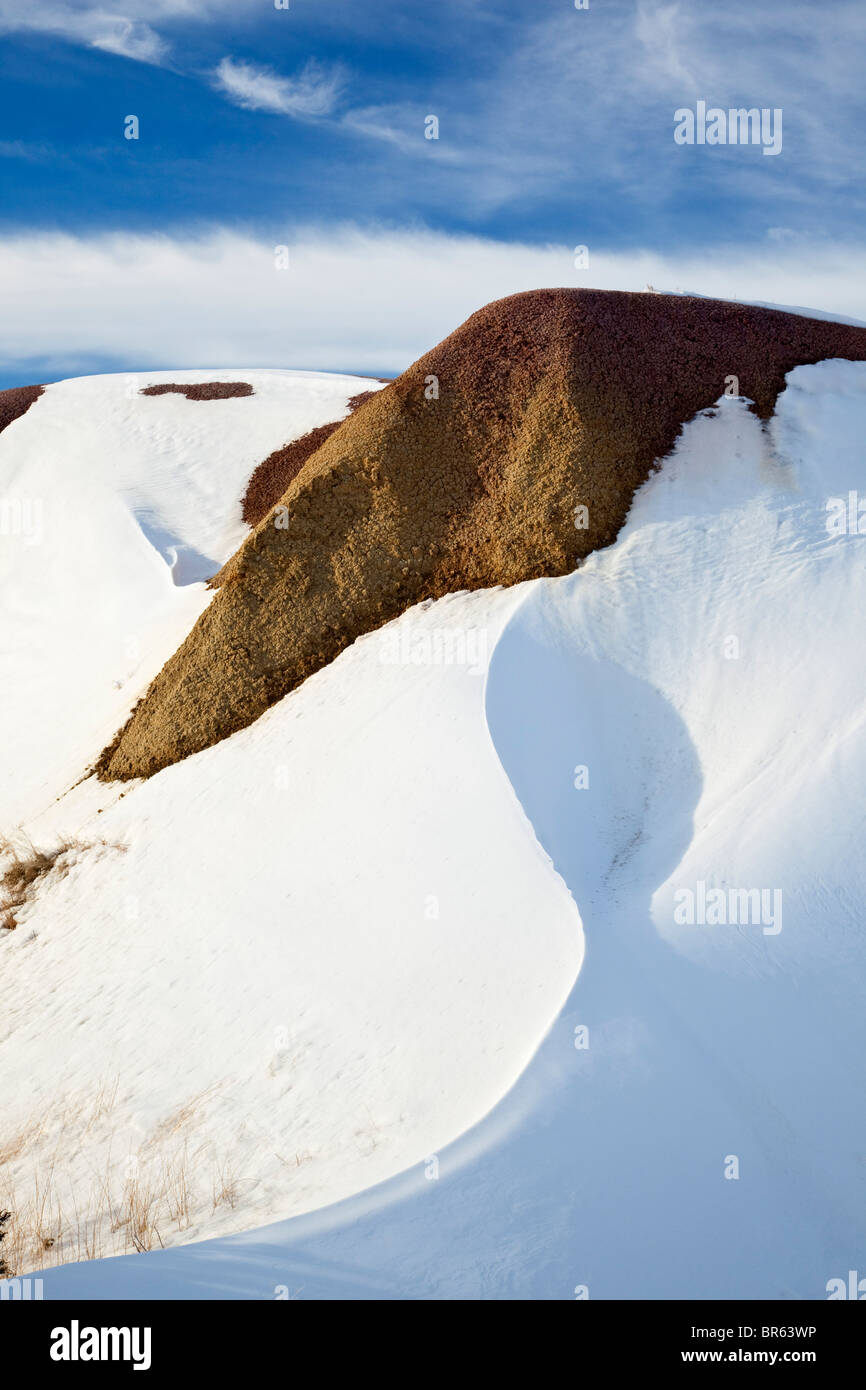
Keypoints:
pixel 113 507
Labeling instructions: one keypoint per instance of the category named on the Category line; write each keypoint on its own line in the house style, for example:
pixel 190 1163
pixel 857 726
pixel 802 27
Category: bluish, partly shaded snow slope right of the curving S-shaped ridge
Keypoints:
pixel 736 764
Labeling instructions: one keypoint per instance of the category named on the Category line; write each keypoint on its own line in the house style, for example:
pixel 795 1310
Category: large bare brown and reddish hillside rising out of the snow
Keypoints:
pixel 464 473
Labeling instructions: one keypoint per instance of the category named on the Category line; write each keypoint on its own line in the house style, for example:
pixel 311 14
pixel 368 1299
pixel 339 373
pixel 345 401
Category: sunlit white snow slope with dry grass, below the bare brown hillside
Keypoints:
pixel 304 960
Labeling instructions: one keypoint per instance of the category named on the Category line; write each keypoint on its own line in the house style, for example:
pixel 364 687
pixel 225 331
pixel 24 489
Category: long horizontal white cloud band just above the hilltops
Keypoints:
pixel 351 300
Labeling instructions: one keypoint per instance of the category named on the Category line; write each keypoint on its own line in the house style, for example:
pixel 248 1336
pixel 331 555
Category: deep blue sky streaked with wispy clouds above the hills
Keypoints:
pixel 555 130
